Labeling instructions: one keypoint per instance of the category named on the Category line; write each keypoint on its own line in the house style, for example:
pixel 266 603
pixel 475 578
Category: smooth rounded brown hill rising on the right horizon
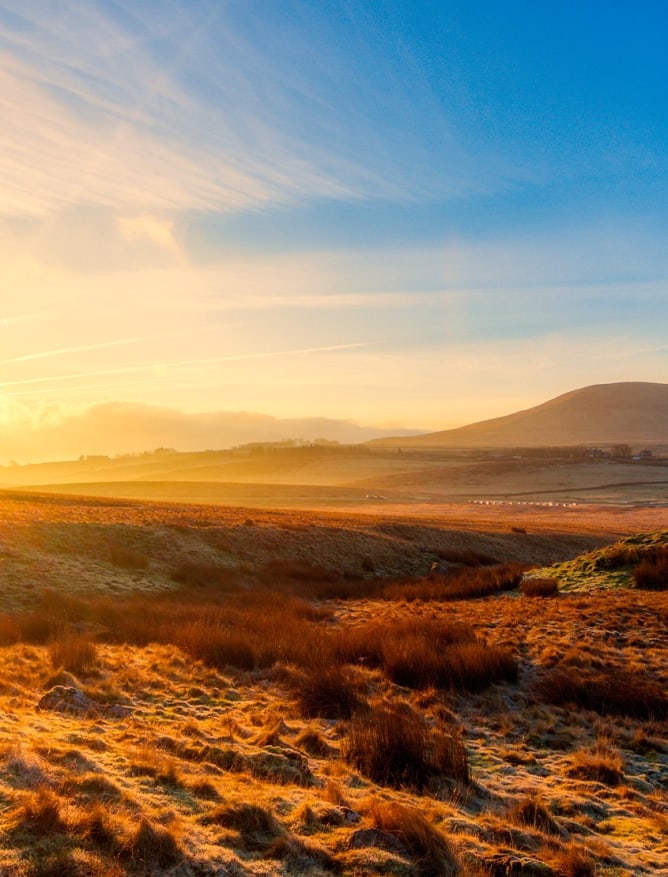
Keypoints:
pixel 602 414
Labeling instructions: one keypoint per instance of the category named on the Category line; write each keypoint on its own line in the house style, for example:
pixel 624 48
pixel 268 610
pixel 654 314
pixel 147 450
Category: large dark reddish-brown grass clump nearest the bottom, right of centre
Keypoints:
pixel 394 746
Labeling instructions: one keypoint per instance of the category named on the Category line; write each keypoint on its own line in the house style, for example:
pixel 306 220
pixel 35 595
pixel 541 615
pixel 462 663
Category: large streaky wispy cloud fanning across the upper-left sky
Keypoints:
pixel 176 108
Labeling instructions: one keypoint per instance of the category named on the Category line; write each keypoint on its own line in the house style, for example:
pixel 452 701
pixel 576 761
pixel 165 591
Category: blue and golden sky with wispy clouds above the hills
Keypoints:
pixel 378 214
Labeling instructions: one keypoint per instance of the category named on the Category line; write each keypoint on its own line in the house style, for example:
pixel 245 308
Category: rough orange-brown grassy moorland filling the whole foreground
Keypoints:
pixel 202 690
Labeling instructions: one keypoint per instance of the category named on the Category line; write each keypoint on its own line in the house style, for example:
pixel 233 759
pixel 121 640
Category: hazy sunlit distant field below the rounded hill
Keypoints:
pixel 392 482
